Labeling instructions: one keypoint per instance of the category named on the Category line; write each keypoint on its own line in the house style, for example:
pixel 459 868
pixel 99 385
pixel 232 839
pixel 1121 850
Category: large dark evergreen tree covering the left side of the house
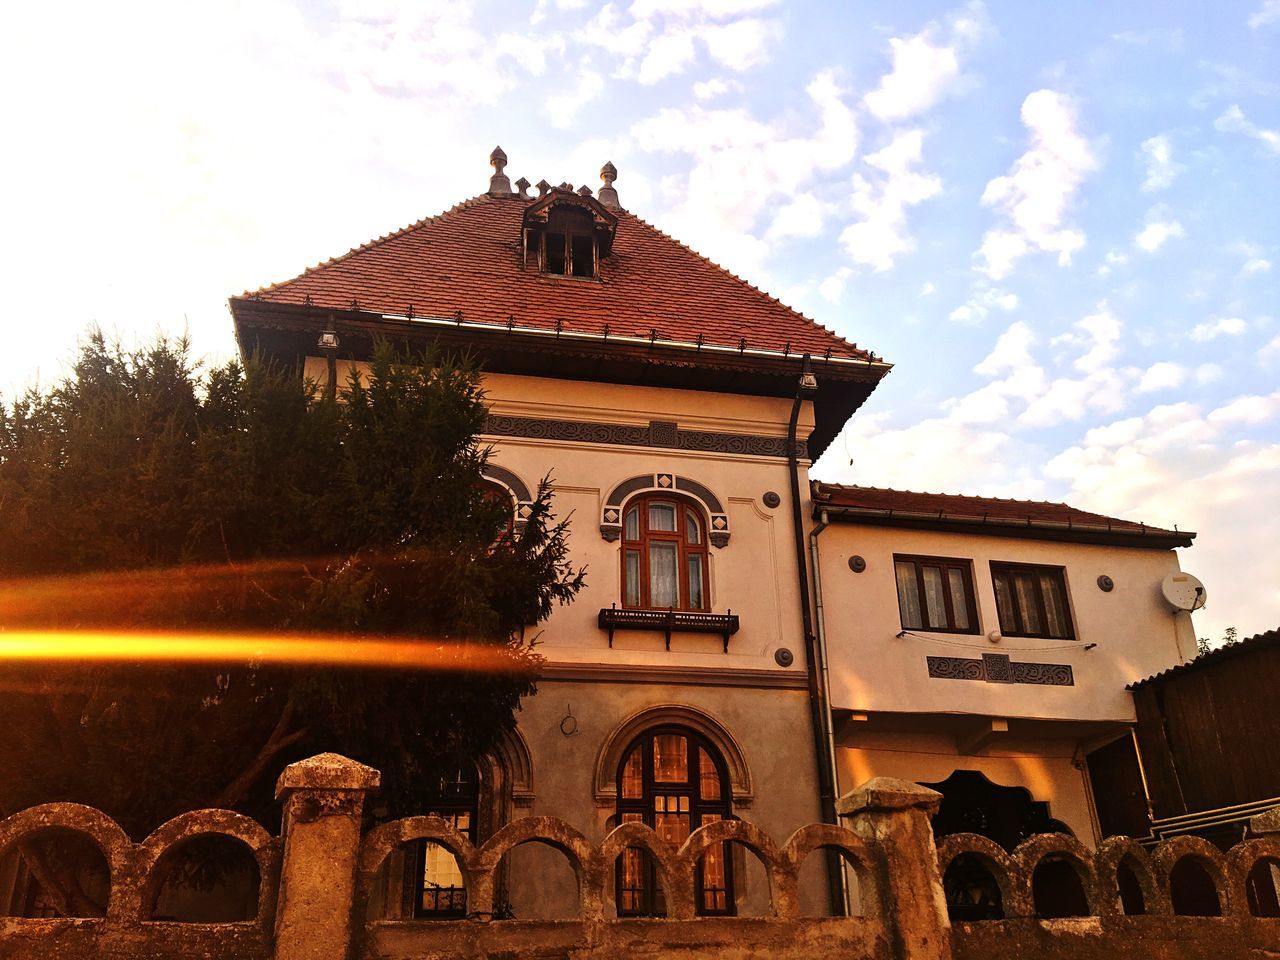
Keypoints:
pixel 143 495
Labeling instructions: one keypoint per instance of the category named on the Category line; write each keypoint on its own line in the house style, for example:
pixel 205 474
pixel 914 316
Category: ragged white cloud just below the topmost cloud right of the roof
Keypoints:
pixel 881 203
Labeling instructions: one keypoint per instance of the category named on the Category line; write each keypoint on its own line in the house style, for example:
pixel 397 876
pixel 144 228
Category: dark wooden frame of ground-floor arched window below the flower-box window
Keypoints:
pixel 700 807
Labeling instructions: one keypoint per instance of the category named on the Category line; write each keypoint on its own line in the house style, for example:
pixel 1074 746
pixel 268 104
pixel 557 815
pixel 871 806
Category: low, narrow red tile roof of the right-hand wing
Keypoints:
pixel 871 501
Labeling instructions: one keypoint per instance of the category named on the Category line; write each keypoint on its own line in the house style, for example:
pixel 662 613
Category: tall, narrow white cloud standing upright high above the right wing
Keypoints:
pixel 1035 195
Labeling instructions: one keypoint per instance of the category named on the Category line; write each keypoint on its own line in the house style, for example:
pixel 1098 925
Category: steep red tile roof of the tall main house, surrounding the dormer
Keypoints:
pixel 468 260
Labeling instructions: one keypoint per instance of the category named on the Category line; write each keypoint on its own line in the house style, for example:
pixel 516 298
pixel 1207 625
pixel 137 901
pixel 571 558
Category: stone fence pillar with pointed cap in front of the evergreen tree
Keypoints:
pixel 323 802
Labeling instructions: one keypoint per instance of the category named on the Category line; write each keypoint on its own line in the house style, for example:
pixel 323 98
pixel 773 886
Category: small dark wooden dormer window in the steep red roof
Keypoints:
pixel 568 235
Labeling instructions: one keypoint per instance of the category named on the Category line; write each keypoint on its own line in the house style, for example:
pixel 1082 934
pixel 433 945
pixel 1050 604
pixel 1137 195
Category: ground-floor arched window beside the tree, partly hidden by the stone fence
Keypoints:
pixel 440 890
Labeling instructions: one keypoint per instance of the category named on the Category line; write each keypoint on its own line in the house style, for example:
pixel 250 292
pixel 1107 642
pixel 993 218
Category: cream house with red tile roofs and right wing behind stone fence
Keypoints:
pixel 748 644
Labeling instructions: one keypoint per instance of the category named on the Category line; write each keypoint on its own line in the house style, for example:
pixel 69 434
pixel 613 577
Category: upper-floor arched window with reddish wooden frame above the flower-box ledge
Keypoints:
pixel 665 555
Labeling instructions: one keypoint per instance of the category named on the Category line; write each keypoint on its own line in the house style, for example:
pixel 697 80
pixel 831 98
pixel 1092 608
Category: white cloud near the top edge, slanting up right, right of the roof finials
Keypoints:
pixel 926 66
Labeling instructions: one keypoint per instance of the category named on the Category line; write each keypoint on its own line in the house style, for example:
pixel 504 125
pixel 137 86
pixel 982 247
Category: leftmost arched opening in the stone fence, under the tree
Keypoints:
pixel 58 874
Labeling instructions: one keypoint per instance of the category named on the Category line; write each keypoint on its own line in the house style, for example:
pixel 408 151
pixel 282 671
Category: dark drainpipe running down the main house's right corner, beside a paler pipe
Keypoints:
pixel 820 715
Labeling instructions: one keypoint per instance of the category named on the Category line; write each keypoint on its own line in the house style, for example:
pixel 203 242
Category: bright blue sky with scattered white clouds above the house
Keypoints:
pixel 1059 221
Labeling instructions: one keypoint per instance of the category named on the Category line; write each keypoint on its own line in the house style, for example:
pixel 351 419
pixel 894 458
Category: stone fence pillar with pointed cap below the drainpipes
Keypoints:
pixel 893 816
